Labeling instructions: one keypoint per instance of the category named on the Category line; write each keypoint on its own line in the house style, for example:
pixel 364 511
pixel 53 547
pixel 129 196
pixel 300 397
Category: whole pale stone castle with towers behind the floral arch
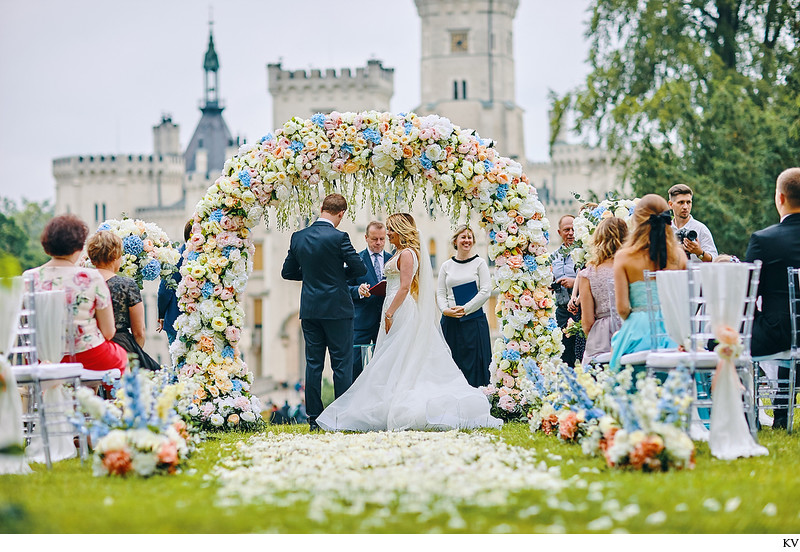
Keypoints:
pixel 467 75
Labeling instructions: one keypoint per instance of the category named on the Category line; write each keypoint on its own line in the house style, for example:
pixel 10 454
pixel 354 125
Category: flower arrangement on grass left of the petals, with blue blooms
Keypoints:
pixel 139 432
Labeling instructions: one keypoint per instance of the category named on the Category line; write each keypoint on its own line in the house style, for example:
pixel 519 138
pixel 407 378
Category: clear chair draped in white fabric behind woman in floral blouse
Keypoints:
pixel 50 385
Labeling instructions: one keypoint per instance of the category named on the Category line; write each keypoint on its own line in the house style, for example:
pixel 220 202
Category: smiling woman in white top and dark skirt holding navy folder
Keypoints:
pixel 464 326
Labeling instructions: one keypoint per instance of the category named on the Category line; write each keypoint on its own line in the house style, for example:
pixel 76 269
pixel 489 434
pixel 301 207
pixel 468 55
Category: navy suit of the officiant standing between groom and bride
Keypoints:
pixel 367 319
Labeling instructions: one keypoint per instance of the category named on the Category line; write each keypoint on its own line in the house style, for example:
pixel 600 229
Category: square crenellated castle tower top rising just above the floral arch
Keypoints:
pixel 298 94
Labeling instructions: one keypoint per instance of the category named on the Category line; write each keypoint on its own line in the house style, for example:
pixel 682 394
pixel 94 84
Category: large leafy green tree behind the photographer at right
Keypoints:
pixel 704 92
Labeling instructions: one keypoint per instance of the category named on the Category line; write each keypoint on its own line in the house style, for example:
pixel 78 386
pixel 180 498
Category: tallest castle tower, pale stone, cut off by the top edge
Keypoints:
pixel 467 68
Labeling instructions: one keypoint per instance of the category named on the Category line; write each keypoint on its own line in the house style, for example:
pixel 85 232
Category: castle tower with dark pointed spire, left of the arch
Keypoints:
pixel 209 147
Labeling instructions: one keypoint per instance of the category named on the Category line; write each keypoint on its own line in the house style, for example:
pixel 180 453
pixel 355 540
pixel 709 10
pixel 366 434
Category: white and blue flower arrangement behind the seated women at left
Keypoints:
pixel 147 251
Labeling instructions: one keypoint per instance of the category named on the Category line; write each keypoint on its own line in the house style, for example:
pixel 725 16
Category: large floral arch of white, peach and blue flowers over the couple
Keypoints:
pixel 389 159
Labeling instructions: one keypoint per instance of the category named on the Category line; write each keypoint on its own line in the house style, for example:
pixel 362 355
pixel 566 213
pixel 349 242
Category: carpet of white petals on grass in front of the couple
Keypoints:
pixel 428 473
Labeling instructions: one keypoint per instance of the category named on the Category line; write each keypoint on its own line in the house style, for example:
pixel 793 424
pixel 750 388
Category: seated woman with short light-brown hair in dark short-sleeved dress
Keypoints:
pixel 105 252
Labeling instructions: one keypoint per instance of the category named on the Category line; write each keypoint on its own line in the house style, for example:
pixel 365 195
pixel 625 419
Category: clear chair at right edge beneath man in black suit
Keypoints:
pixel 771 387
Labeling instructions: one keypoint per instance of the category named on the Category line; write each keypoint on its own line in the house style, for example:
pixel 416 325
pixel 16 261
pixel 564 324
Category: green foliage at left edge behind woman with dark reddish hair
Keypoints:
pixel 20 229
